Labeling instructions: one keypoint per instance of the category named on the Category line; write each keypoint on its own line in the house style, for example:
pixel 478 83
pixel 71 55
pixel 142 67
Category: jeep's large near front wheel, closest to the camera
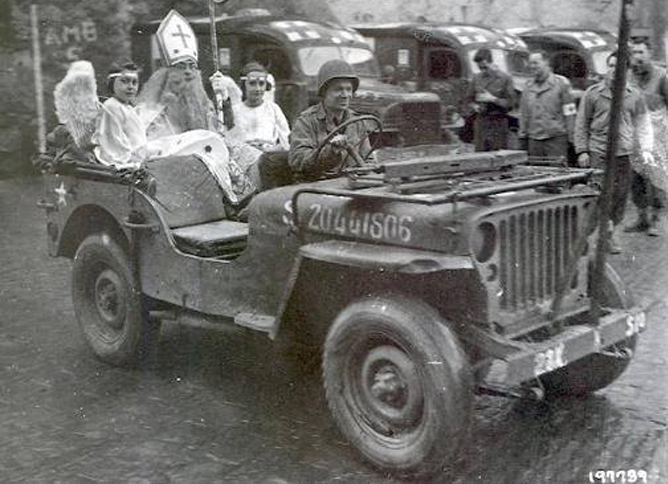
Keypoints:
pixel 398 384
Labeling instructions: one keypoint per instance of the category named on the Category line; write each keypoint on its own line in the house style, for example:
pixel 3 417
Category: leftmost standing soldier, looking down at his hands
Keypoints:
pixel 491 95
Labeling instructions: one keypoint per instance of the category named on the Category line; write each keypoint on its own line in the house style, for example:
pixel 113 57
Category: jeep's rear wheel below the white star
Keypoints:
pixel 108 303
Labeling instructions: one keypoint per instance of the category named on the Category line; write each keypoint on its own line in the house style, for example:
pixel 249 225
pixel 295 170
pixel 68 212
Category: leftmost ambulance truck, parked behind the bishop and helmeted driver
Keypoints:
pixel 293 49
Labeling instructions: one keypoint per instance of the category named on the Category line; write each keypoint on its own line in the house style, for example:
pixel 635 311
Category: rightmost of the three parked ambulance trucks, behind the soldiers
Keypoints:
pixel 578 55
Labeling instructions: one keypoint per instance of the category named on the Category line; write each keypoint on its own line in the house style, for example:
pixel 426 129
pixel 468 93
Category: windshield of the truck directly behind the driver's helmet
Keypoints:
pixel 362 60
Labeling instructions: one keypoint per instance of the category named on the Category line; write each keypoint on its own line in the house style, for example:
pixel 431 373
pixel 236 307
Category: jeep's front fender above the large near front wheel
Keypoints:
pixel 340 271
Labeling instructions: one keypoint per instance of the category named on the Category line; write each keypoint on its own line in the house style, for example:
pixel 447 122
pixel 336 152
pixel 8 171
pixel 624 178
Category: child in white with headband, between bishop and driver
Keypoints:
pixel 258 121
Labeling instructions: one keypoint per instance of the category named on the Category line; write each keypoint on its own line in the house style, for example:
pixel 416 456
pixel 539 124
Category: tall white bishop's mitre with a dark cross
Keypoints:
pixel 176 39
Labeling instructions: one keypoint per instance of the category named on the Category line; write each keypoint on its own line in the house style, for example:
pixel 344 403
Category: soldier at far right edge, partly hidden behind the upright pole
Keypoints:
pixel 652 82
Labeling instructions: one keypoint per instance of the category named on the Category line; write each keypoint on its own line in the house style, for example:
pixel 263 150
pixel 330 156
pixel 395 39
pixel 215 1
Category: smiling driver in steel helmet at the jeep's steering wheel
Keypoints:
pixel 337 83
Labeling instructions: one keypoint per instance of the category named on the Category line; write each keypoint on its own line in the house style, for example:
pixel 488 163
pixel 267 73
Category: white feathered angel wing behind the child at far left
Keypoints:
pixel 77 105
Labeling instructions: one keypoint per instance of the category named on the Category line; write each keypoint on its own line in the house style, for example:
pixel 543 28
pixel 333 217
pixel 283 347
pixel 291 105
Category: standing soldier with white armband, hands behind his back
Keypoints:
pixel 547 111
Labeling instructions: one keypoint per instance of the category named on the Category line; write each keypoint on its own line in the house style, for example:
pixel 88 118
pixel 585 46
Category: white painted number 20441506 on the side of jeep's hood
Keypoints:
pixel 367 225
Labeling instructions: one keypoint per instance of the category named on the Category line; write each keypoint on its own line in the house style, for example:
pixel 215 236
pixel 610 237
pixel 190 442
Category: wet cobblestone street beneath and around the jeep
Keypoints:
pixel 216 407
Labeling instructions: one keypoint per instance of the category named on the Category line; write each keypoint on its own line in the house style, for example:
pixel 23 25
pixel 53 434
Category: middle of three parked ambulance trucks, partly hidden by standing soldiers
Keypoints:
pixel 439 58
